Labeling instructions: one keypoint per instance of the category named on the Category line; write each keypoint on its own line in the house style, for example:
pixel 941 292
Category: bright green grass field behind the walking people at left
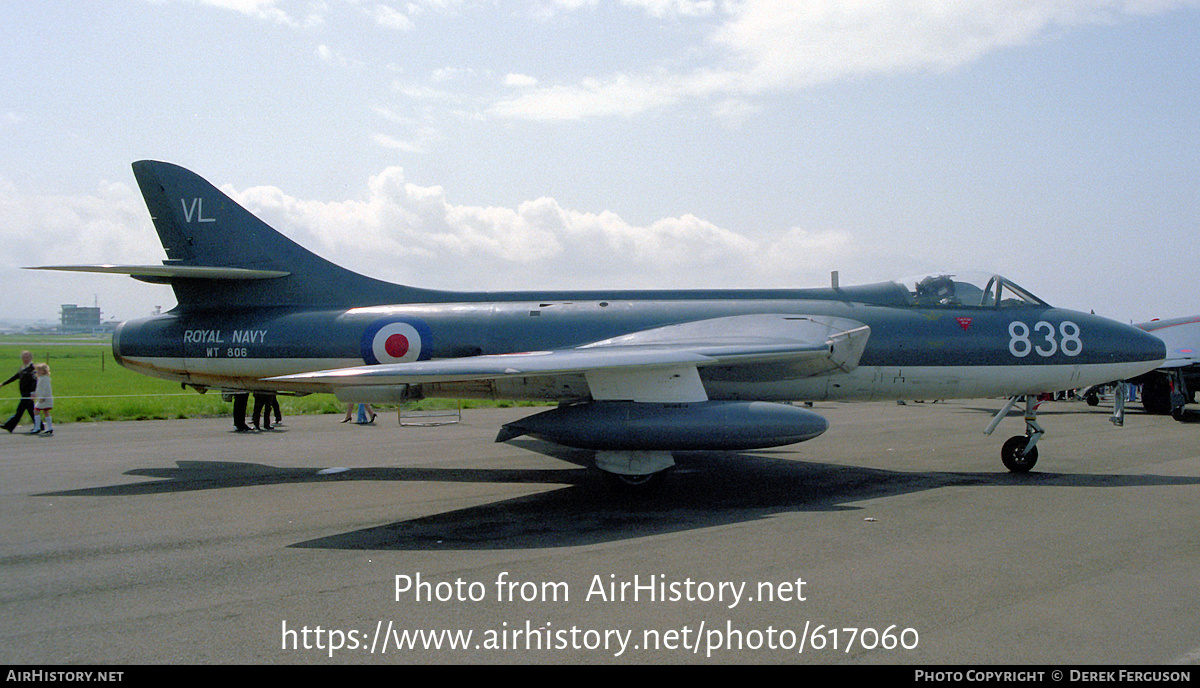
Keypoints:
pixel 91 386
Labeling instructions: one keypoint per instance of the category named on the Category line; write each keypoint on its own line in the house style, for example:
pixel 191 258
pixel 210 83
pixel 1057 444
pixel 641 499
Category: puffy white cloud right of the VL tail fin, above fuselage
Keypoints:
pixel 416 235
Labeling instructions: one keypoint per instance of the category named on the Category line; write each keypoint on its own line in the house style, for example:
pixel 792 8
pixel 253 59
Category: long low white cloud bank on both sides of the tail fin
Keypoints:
pixel 416 235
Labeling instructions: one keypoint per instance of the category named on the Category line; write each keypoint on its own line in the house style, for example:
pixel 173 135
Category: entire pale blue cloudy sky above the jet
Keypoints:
pixel 526 145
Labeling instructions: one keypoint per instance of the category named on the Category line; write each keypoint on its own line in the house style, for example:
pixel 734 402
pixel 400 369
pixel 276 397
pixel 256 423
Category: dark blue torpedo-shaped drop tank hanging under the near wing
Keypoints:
pixel 628 426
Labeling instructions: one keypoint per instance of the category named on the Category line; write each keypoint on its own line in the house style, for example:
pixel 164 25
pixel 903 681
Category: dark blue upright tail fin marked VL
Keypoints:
pixel 220 255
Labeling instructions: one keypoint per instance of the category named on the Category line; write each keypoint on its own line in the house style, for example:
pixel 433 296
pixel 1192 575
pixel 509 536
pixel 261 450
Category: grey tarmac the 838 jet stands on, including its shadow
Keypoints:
pixel 897 537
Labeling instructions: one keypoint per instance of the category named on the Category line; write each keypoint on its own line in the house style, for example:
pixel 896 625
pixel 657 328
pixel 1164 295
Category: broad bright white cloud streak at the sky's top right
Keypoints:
pixel 764 46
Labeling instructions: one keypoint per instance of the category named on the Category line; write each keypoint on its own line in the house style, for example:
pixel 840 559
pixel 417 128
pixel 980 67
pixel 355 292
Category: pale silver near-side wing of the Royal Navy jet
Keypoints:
pixel 659 364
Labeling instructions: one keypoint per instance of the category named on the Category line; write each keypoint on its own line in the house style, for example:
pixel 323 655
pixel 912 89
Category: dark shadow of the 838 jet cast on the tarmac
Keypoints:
pixel 707 489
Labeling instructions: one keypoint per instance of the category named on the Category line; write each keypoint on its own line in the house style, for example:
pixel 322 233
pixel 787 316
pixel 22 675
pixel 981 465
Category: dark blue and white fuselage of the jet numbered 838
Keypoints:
pixel 913 350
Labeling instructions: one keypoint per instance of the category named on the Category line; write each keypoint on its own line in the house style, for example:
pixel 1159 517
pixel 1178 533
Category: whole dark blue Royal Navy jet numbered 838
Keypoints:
pixel 638 375
